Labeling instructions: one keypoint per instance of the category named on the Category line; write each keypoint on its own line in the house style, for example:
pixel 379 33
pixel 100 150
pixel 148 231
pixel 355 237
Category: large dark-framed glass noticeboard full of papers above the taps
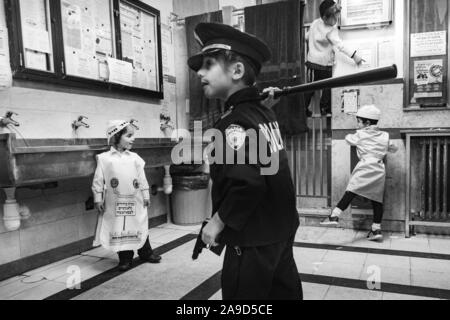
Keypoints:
pixel 102 45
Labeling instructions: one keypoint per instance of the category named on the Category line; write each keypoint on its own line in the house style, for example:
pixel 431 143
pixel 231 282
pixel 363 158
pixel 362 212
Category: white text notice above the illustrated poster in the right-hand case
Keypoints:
pixel 429 44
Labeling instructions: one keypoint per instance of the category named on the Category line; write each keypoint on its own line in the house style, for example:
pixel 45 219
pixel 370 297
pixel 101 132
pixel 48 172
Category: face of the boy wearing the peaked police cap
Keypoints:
pixel 217 80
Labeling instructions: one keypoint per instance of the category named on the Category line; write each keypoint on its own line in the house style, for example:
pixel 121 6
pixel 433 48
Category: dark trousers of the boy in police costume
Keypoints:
pixel 261 273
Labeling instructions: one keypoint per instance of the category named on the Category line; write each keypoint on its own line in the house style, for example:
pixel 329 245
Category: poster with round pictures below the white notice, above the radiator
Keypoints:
pixel 428 78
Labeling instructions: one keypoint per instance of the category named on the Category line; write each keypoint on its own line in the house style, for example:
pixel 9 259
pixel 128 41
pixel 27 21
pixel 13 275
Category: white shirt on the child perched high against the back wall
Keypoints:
pixel 323 42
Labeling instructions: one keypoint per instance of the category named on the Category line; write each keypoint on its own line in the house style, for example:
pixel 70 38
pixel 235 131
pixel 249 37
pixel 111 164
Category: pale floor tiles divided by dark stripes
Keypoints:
pixel 177 274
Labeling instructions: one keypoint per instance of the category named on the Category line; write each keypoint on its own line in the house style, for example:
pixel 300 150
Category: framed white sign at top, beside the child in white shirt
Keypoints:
pixel 365 13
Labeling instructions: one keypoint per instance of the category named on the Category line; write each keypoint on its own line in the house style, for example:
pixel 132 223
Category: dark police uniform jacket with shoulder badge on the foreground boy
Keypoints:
pixel 257 209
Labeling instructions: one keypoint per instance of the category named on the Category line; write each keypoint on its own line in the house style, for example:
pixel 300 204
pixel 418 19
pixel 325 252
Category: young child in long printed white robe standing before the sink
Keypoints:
pixel 121 195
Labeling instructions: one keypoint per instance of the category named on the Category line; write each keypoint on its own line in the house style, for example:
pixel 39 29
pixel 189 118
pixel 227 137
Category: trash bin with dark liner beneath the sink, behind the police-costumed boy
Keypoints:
pixel 190 198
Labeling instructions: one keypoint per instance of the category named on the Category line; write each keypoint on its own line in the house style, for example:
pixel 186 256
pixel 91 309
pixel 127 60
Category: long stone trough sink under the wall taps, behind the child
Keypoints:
pixel 34 162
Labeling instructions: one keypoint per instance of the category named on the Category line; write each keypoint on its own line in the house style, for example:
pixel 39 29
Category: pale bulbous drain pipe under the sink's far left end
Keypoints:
pixel 13 213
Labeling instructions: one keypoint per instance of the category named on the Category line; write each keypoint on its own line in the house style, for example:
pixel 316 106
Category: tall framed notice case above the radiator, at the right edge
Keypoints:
pixel 426 55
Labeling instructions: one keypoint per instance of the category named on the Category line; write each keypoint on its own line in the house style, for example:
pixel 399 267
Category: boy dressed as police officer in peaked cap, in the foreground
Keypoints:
pixel 255 214
